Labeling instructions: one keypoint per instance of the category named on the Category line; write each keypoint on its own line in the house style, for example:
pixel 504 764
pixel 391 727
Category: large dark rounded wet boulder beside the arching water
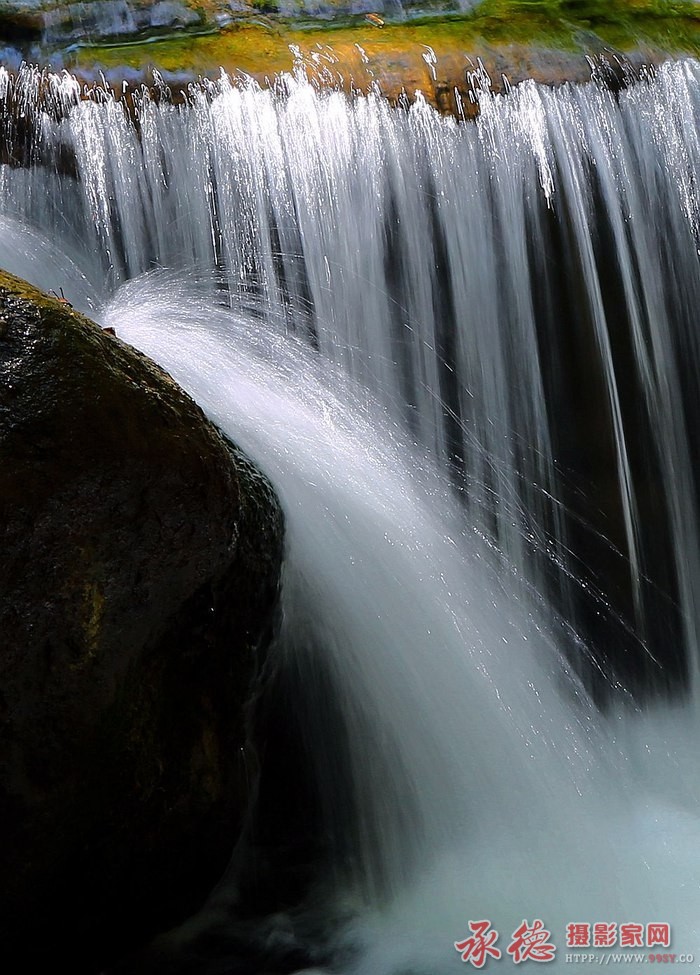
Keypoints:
pixel 138 579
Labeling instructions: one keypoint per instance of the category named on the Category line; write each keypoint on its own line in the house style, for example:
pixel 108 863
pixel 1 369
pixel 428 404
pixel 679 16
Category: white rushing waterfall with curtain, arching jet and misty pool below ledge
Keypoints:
pixel 466 355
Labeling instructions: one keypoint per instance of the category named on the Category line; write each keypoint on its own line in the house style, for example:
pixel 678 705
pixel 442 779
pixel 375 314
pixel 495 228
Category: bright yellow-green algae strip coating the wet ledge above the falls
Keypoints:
pixel 263 48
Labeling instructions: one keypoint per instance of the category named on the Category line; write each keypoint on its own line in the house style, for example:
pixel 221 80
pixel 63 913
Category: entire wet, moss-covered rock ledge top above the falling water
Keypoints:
pixel 427 46
